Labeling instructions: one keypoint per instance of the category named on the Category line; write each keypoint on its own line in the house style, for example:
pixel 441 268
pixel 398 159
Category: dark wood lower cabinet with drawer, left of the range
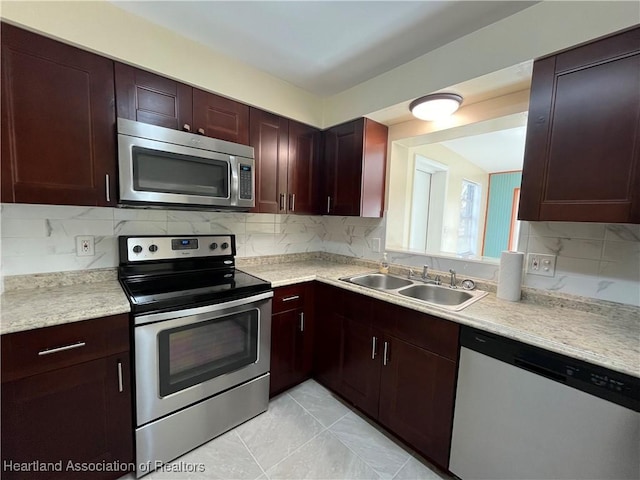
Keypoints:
pixel 71 422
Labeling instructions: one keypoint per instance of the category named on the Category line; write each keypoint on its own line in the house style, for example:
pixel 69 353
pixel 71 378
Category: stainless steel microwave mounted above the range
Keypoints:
pixel 163 167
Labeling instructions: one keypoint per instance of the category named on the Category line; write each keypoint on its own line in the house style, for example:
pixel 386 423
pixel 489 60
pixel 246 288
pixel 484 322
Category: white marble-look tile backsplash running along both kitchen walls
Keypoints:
pixel 600 261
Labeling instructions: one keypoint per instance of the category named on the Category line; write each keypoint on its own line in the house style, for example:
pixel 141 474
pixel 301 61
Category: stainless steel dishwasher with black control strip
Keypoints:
pixel 525 413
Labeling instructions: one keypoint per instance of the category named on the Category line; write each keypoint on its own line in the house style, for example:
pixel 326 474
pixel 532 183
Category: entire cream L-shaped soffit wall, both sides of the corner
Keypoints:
pixel 536 31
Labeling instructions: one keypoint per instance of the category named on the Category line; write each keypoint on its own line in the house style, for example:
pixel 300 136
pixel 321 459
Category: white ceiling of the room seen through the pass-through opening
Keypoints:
pixel 498 151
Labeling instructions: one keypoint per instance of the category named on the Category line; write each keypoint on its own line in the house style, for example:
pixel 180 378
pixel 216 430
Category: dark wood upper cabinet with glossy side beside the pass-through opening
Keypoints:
pixel 354 168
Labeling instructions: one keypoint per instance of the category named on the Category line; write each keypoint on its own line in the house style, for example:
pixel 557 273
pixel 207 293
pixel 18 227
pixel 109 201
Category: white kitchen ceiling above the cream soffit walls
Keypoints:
pixel 324 47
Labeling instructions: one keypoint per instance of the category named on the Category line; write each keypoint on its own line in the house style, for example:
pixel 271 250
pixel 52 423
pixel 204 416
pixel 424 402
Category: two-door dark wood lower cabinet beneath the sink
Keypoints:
pixel 386 361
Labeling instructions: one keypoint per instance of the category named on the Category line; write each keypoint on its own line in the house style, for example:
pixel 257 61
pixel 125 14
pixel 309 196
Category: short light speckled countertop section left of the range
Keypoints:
pixel 27 309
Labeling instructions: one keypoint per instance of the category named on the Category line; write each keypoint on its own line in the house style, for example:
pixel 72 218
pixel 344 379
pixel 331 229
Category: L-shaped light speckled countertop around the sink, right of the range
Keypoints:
pixel 610 340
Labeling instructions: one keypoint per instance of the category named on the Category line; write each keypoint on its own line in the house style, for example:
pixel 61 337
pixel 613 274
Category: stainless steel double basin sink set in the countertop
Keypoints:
pixel 454 299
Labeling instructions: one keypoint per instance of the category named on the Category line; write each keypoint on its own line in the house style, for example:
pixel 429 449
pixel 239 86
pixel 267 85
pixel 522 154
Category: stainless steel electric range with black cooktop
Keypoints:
pixel 202 335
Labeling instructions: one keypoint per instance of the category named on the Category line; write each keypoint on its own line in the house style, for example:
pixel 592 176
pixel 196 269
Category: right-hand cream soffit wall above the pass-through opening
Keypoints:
pixel 537 31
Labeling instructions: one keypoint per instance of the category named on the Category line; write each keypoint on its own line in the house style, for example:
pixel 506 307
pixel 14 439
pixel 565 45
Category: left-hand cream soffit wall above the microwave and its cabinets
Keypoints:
pixel 110 31
